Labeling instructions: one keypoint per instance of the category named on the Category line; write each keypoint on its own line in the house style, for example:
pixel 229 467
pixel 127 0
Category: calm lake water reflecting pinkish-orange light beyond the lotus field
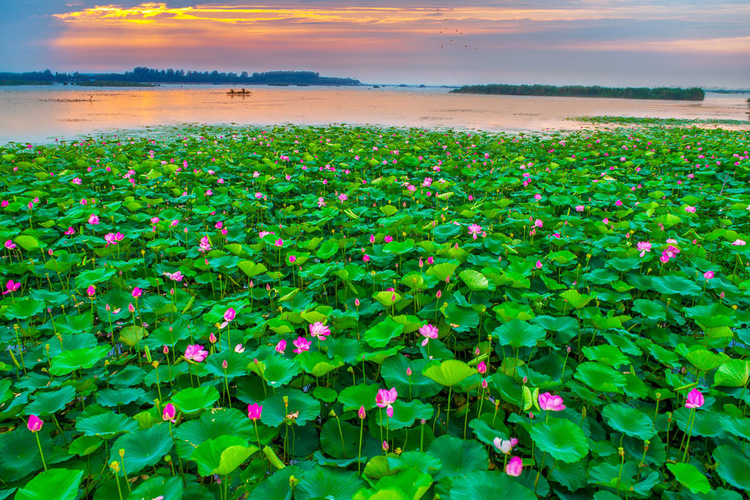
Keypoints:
pixel 43 113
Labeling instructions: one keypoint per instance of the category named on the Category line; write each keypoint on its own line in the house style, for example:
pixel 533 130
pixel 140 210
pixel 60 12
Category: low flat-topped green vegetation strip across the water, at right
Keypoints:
pixel 691 94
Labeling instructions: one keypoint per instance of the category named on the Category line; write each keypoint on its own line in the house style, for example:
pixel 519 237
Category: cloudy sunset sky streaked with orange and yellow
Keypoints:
pixel 702 43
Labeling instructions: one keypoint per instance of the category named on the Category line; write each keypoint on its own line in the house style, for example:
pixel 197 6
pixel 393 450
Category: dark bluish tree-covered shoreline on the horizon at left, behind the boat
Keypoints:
pixel 150 75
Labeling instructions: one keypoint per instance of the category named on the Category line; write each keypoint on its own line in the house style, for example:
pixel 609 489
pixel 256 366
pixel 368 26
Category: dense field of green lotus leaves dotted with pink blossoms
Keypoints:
pixel 362 313
